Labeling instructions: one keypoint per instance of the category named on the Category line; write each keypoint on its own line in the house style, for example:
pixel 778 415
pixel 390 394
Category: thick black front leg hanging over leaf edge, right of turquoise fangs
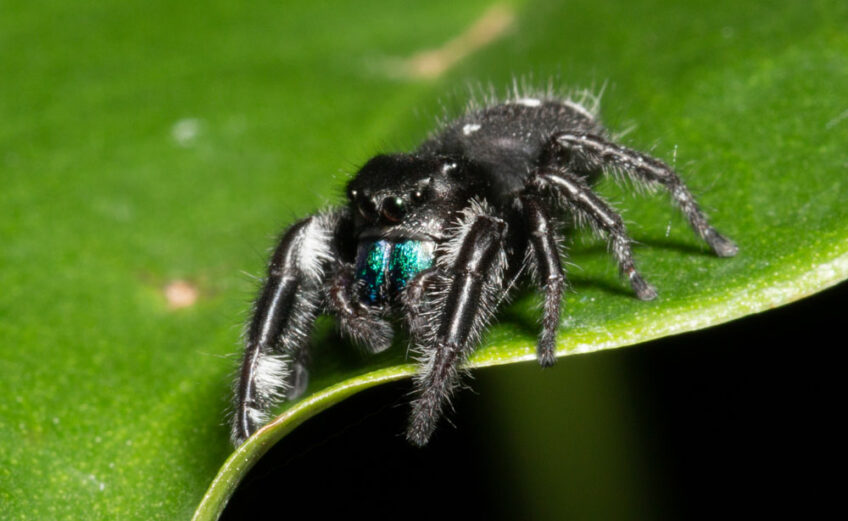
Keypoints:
pixel 471 271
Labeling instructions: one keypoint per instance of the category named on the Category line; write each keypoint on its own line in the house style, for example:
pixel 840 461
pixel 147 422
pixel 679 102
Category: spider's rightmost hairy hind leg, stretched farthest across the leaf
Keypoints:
pixel 591 152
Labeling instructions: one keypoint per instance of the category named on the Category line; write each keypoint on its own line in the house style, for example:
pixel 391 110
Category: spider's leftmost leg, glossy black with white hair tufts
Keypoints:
pixel 282 320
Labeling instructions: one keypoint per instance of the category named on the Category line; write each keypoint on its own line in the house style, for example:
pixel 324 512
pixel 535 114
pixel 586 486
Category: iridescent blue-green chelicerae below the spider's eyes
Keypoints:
pixel 385 267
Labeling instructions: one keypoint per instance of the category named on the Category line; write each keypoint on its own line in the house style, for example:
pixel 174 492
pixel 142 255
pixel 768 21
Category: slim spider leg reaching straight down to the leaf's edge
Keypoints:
pixel 548 268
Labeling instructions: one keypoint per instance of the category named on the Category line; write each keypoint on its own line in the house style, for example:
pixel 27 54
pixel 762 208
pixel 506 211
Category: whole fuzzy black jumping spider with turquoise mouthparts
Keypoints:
pixel 437 238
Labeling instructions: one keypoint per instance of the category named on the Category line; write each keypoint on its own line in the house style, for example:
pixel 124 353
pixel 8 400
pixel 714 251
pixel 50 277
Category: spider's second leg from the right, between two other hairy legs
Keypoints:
pixel 588 207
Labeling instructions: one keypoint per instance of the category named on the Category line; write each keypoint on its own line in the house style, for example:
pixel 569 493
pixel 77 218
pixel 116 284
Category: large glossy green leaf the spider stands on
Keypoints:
pixel 145 143
